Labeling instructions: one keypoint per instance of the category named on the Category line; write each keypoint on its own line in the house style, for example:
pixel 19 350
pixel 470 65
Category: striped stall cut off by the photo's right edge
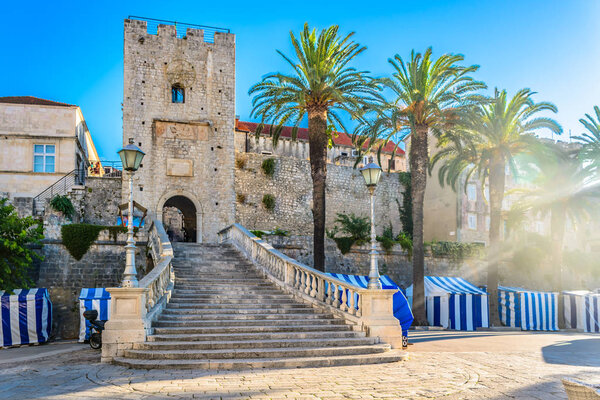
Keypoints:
pixel 582 310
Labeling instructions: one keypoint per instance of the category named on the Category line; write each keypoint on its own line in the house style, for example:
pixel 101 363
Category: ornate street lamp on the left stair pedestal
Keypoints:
pixel 131 156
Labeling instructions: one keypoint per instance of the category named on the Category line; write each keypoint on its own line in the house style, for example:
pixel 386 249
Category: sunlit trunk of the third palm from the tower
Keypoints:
pixel 497 181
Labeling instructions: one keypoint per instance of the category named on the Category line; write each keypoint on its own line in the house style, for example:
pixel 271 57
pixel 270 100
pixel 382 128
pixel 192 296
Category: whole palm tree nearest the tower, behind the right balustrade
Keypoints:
pixel 320 86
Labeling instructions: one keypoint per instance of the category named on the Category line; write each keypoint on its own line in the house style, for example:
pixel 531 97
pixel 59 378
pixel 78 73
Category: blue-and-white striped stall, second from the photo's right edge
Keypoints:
pixel 528 310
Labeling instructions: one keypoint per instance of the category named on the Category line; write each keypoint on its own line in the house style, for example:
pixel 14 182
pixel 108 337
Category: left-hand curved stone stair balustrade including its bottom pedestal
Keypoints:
pixel 134 309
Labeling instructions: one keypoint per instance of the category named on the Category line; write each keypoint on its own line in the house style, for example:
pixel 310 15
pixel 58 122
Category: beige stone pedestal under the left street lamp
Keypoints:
pixel 126 324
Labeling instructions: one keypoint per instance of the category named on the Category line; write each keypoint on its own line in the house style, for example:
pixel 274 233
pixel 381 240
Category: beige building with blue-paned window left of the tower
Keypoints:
pixel 41 141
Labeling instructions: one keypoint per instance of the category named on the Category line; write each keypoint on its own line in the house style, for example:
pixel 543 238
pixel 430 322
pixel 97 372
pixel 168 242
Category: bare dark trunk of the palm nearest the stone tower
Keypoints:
pixel 317 140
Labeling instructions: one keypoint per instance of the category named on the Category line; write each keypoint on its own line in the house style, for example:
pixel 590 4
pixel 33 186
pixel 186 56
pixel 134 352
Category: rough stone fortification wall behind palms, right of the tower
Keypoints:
pixel 291 185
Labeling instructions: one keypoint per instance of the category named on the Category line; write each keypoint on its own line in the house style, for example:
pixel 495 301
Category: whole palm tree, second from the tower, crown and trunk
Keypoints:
pixel 429 96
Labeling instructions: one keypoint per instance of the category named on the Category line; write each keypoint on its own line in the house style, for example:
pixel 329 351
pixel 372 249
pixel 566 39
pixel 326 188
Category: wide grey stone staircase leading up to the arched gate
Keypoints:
pixel 224 315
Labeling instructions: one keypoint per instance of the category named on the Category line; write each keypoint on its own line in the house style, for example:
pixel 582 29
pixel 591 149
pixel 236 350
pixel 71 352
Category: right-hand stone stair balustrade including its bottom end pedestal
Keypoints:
pixel 370 310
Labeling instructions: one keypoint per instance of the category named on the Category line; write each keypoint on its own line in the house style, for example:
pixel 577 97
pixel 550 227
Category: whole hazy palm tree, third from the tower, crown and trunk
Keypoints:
pixel 485 145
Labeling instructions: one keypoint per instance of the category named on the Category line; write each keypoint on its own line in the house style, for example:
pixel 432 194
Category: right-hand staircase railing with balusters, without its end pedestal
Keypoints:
pixel 296 277
